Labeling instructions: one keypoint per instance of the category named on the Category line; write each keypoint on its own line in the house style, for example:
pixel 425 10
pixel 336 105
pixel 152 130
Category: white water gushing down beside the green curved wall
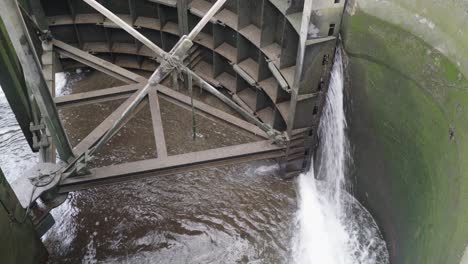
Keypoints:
pixel 332 227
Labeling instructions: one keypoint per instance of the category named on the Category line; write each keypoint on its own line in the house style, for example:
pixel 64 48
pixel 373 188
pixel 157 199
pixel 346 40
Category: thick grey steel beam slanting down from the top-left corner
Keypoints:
pixel 20 38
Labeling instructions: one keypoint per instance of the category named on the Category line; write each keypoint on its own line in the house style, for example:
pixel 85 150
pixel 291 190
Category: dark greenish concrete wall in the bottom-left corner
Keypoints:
pixel 19 242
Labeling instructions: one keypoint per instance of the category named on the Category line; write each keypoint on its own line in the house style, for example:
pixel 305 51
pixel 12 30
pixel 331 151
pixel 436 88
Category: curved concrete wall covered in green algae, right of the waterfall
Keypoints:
pixel 408 113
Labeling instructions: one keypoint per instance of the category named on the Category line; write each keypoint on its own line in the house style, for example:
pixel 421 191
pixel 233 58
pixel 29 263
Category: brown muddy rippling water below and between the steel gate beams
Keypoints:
pixel 233 214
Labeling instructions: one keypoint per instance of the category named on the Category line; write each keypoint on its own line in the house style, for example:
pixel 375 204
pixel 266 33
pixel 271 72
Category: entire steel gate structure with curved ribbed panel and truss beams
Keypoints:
pixel 275 72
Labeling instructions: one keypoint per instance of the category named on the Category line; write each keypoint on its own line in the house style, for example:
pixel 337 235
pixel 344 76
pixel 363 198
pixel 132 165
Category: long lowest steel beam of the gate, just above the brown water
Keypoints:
pixel 174 164
